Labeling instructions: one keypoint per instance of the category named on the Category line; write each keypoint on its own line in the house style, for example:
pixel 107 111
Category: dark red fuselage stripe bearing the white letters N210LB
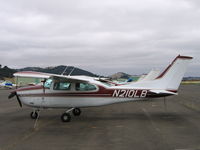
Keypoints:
pixel 102 92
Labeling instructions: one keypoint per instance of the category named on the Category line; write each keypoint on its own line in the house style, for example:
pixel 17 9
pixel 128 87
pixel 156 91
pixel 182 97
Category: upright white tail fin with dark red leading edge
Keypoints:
pixel 172 76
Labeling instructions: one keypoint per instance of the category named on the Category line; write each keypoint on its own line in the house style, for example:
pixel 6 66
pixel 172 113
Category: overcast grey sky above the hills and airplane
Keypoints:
pixel 101 36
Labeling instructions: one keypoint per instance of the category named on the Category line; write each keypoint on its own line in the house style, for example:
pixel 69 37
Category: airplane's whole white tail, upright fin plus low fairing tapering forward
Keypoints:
pixel 170 78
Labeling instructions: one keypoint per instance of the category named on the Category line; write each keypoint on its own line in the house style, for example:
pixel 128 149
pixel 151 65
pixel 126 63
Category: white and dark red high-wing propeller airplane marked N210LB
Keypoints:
pixel 75 92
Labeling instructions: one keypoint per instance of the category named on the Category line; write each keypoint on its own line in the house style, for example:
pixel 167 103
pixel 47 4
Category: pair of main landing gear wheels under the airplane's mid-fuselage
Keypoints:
pixel 66 117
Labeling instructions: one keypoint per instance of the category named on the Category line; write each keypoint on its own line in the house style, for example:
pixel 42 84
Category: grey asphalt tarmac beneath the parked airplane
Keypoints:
pixel 128 126
